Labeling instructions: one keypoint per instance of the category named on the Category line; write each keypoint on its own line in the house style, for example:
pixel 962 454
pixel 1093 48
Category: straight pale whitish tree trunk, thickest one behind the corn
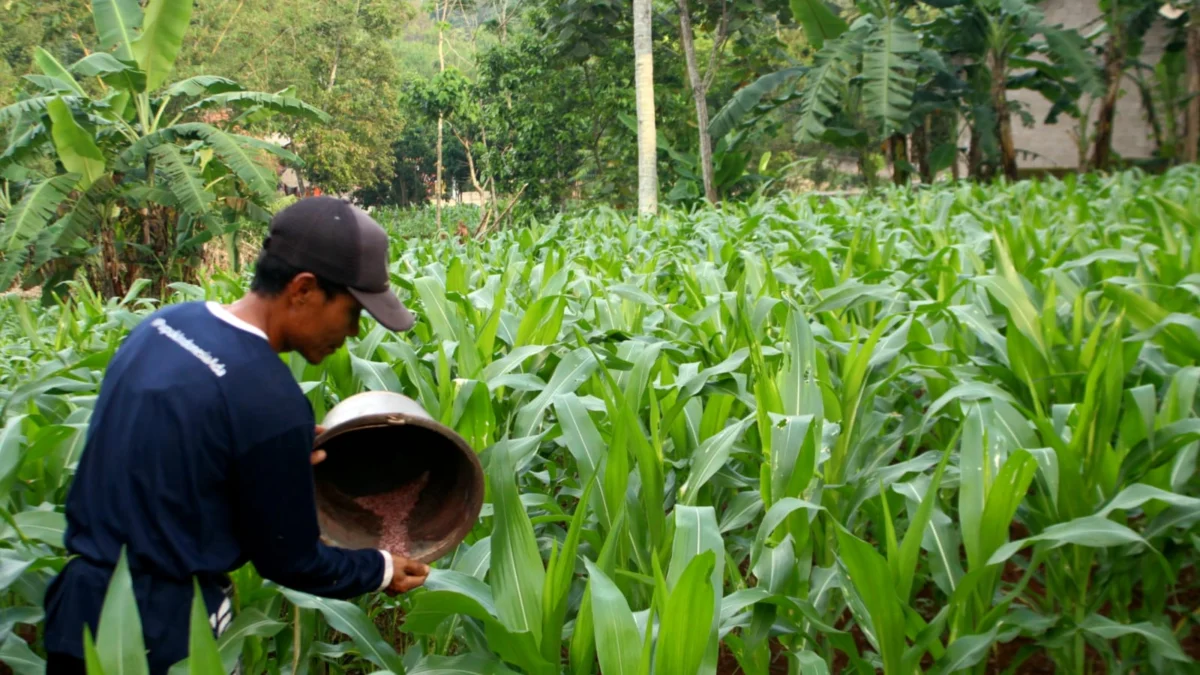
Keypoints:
pixel 647 136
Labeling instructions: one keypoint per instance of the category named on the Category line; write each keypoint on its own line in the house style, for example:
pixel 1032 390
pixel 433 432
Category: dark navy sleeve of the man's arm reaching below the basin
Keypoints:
pixel 278 524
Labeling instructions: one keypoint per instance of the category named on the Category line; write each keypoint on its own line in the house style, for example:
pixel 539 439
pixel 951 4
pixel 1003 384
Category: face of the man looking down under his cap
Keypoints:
pixel 319 325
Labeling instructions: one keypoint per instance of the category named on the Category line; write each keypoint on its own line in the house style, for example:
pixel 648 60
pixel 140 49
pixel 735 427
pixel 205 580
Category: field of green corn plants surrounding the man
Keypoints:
pixel 951 431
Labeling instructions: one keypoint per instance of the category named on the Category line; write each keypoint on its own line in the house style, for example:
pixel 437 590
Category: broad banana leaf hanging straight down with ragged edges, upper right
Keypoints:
pixel 889 74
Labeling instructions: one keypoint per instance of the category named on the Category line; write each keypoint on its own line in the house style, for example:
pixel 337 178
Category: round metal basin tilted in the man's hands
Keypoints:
pixel 379 443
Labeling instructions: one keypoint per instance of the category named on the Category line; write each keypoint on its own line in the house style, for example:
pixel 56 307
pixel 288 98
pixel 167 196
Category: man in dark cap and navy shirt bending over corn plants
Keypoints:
pixel 200 449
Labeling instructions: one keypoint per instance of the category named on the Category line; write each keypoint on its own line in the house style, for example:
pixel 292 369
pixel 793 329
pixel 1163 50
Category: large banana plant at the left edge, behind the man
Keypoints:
pixel 143 174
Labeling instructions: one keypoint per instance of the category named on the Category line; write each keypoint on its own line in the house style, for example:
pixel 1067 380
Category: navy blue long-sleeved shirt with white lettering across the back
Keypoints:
pixel 197 462
